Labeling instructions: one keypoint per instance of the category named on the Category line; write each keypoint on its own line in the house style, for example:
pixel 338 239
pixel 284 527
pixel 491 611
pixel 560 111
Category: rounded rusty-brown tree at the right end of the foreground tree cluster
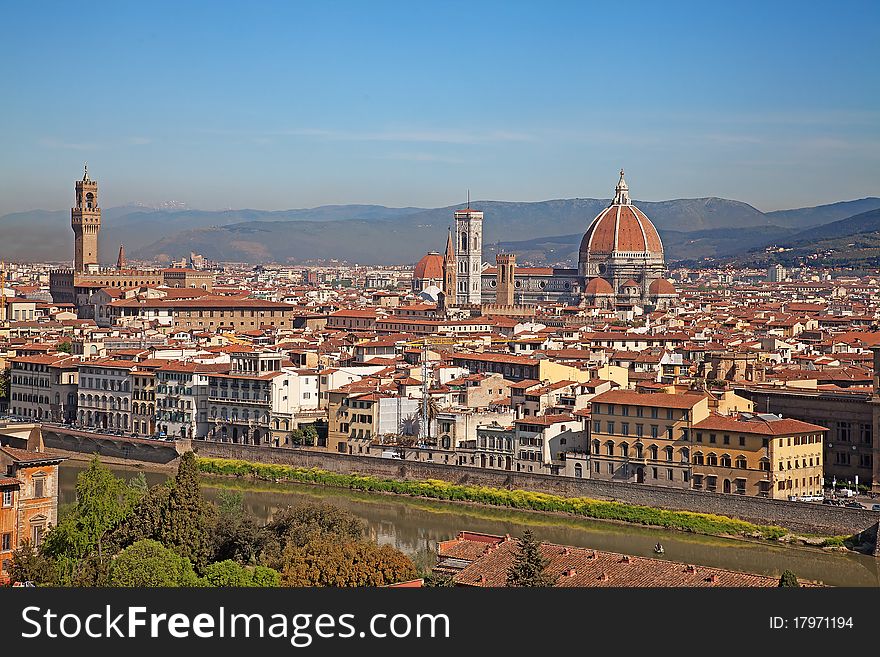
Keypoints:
pixel 327 562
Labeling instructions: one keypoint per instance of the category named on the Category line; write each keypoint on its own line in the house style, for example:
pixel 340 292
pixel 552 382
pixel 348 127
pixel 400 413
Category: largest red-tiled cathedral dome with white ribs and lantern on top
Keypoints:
pixel 621 228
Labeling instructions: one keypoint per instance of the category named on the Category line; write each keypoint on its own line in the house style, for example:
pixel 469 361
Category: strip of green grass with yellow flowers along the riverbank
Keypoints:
pixel 701 523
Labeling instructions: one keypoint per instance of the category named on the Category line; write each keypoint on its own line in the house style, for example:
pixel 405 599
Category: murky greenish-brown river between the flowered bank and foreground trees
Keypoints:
pixel 415 526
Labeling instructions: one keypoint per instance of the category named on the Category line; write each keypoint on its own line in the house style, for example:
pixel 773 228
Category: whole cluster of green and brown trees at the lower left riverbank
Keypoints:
pixel 126 534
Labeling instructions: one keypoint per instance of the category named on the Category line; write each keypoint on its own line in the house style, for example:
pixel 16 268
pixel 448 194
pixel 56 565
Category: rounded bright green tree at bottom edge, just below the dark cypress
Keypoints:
pixel 149 563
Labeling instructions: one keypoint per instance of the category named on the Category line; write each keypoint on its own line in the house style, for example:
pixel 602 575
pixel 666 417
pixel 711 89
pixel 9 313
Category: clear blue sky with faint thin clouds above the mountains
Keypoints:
pixel 295 104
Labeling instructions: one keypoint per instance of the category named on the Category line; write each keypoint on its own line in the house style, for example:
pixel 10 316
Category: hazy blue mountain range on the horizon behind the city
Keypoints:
pixel 545 232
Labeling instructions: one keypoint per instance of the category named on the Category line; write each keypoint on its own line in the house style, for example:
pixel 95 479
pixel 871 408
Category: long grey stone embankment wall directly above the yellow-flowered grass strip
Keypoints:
pixel 797 516
